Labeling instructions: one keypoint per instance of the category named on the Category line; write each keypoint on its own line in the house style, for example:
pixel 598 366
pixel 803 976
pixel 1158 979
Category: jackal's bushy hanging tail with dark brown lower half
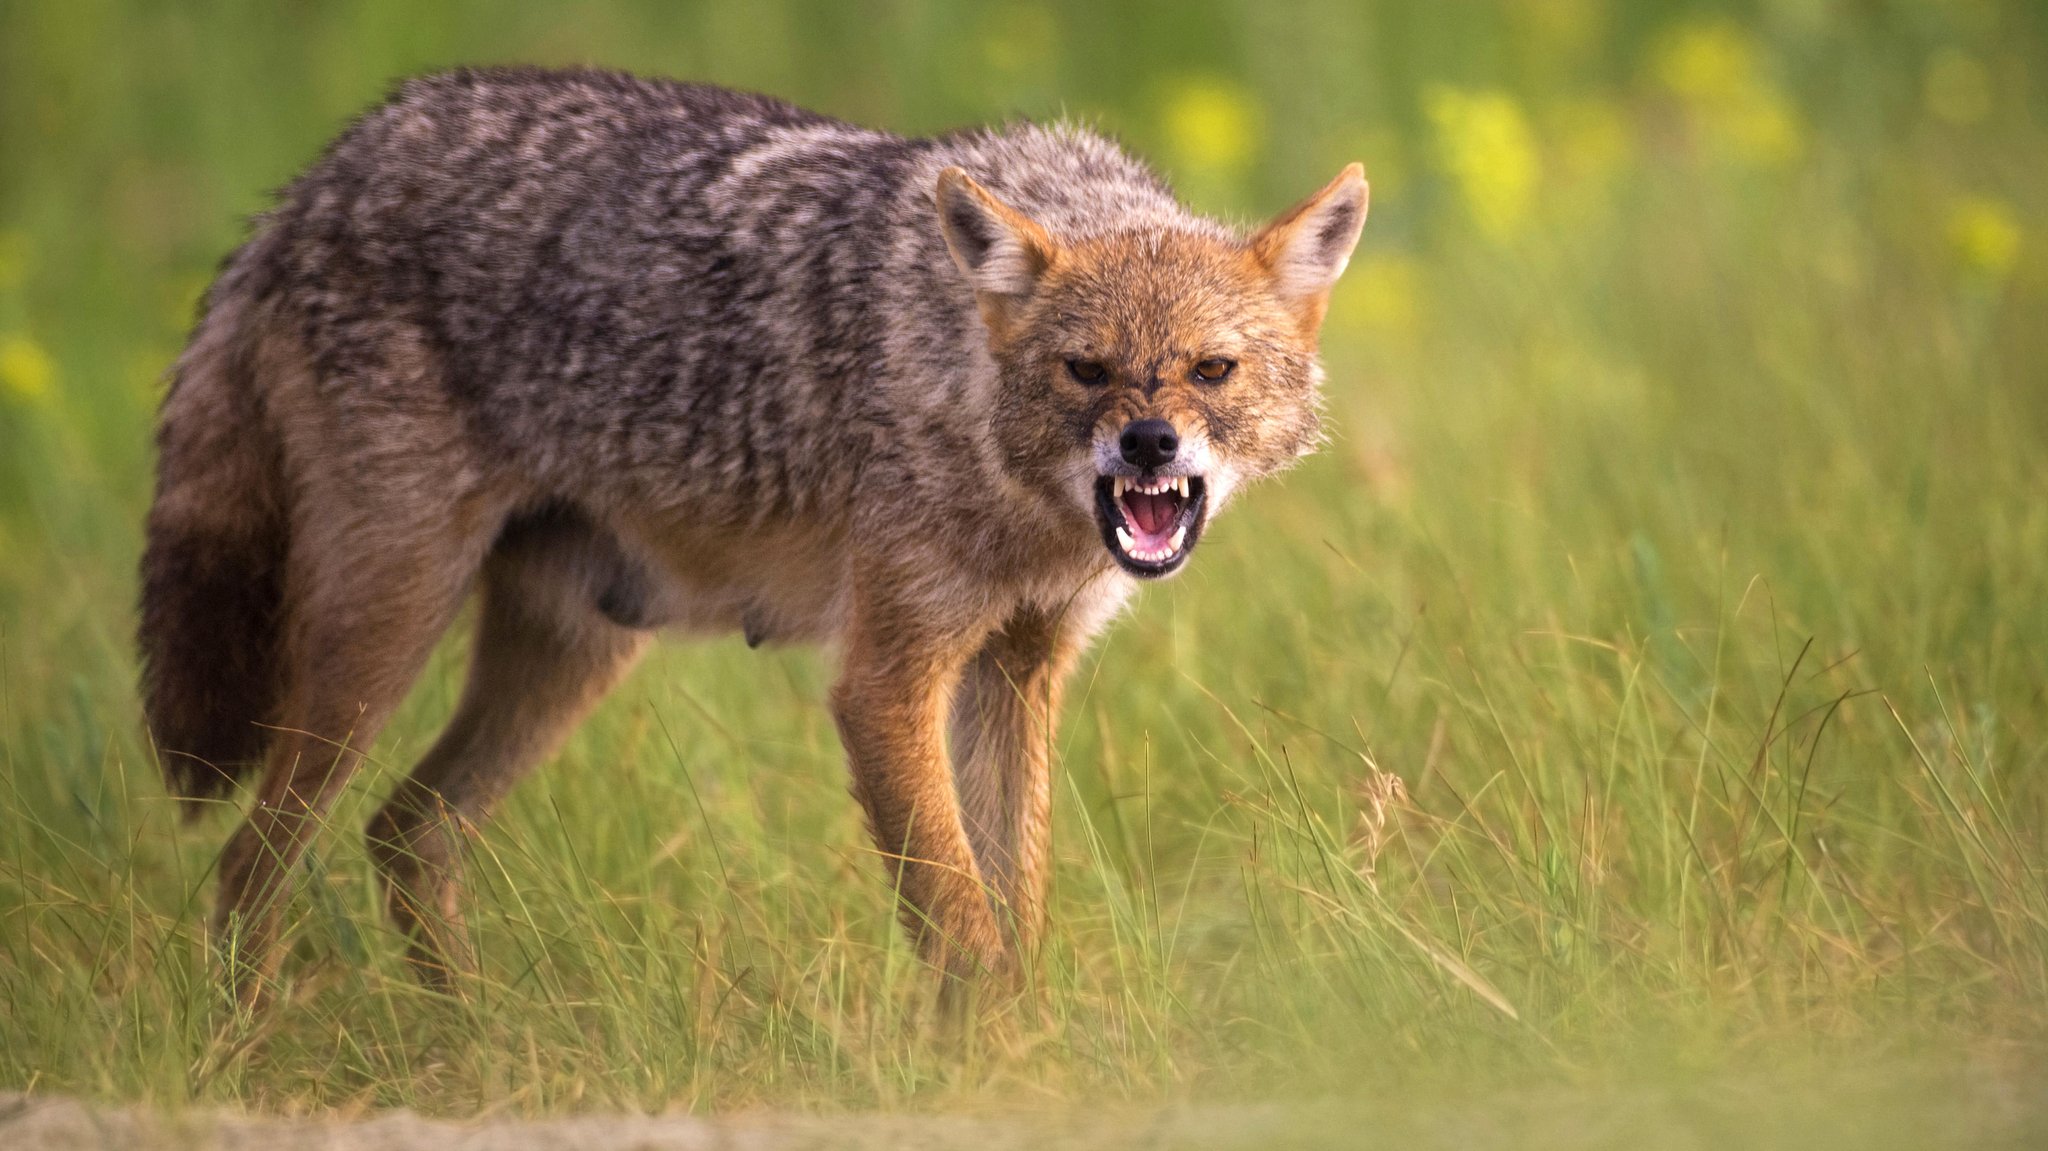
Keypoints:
pixel 214 566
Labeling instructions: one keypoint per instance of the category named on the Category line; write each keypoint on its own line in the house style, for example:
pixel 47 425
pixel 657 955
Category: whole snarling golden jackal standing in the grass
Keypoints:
pixel 634 355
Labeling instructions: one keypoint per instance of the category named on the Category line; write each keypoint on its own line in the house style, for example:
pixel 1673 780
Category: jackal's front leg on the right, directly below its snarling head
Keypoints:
pixel 1002 726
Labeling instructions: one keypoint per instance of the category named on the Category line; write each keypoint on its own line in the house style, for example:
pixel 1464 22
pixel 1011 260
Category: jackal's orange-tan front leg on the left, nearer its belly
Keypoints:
pixel 890 706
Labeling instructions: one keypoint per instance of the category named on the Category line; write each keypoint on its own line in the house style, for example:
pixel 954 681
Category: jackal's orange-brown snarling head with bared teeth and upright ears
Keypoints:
pixel 1148 372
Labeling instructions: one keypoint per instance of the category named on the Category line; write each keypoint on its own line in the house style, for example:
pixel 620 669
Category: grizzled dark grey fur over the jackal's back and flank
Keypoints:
pixel 703 288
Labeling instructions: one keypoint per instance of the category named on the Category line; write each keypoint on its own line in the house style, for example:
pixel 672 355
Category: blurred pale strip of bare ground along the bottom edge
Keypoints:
pixel 1865 1109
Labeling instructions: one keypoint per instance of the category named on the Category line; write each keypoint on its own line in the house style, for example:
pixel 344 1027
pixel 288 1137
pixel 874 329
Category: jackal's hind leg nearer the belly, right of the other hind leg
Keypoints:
pixel 544 656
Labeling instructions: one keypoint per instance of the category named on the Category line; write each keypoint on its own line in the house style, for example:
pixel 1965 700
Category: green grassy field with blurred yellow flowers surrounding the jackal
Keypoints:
pixel 1650 683
